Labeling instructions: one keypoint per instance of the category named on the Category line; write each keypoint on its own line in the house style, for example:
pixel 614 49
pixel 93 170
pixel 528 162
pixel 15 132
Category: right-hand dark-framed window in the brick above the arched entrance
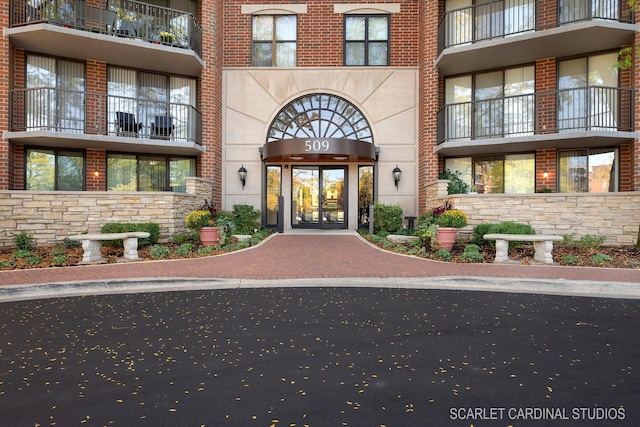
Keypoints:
pixel 366 40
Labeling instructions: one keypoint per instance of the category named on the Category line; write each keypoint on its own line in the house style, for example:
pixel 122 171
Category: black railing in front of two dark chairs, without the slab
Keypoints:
pixel 67 111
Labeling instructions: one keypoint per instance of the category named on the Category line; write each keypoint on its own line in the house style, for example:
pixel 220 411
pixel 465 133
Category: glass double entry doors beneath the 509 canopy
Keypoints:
pixel 318 197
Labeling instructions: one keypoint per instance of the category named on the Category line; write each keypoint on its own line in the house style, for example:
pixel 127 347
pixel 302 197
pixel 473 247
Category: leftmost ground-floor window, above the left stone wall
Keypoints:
pixel 49 170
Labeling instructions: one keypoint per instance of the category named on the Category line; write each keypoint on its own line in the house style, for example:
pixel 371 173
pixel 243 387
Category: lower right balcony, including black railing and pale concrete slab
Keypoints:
pixel 597 115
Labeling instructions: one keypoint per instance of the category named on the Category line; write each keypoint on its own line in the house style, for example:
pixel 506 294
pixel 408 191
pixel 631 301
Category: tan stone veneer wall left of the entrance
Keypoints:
pixel 50 216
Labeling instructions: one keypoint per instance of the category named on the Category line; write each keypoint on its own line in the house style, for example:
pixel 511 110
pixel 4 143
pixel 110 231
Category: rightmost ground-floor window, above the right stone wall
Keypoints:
pixel 592 170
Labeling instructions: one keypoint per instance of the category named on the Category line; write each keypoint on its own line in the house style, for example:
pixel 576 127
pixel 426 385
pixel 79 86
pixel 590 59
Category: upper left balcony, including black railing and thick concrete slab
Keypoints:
pixel 121 32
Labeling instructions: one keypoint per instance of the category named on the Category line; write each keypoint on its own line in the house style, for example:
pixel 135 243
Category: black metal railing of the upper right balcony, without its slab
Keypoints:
pixel 493 20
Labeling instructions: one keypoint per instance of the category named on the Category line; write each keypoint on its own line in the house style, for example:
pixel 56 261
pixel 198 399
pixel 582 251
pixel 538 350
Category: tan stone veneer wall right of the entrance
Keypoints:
pixel 615 216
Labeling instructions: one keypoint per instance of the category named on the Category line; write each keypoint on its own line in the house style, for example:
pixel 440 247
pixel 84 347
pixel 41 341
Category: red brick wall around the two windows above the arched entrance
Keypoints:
pixel 320 34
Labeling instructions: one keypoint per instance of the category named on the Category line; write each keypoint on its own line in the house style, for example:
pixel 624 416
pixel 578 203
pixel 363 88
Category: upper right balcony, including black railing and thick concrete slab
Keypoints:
pixel 503 33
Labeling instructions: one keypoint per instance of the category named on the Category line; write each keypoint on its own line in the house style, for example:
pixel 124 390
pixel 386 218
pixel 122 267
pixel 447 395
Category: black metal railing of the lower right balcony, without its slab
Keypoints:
pixel 565 110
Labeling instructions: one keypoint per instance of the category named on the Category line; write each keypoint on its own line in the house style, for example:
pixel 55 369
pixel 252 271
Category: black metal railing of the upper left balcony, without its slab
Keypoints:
pixel 124 18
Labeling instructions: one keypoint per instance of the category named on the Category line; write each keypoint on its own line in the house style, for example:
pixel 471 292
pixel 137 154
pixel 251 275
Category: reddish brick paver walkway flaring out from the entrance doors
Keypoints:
pixel 310 256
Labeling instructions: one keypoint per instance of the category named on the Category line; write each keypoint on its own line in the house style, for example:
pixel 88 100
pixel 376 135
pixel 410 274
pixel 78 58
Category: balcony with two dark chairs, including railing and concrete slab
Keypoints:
pixel 66 118
